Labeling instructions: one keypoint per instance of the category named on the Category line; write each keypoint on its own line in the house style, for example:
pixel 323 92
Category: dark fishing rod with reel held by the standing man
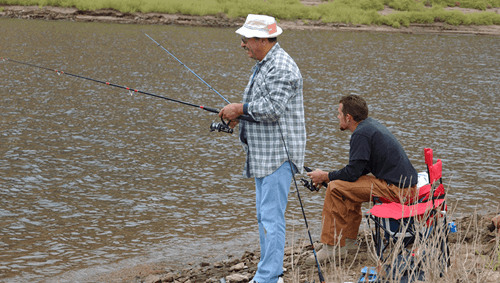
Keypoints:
pixel 213 126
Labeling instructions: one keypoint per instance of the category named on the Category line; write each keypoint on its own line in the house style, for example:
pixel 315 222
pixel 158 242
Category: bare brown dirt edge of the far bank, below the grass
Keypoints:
pixel 221 20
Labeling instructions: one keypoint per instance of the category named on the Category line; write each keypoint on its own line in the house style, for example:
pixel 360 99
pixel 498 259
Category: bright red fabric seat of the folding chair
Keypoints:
pixel 397 211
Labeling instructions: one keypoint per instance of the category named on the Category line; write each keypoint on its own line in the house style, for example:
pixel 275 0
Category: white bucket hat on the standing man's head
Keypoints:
pixel 259 26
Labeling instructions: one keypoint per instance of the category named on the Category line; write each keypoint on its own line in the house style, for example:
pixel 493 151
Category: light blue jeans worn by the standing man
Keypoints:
pixel 271 200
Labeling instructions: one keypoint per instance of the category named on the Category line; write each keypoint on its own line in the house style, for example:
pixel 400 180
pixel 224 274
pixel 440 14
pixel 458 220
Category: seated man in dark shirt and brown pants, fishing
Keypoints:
pixel 373 149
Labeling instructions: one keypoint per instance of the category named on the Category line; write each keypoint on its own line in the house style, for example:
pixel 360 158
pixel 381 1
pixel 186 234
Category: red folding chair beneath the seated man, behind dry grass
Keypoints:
pixel 396 225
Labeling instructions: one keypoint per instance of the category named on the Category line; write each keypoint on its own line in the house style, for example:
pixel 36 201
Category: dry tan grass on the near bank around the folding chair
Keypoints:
pixel 474 256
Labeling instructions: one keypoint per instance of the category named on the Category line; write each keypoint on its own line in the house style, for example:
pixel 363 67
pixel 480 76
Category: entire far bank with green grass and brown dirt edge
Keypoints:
pixel 479 17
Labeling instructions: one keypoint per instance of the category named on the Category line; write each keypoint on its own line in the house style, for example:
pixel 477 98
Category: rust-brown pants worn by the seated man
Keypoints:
pixel 342 208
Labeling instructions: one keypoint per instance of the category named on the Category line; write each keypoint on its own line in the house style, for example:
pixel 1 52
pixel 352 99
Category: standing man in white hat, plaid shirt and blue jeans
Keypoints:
pixel 273 97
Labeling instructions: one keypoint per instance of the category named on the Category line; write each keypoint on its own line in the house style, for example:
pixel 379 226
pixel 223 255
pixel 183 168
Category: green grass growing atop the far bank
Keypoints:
pixel 334 11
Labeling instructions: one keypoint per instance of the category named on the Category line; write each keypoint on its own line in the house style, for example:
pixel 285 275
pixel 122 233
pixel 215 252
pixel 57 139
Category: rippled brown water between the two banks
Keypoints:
pixel 91 176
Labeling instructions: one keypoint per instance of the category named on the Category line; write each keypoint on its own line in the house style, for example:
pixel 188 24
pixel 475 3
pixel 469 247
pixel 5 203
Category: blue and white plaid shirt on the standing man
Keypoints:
pixel 273 97
